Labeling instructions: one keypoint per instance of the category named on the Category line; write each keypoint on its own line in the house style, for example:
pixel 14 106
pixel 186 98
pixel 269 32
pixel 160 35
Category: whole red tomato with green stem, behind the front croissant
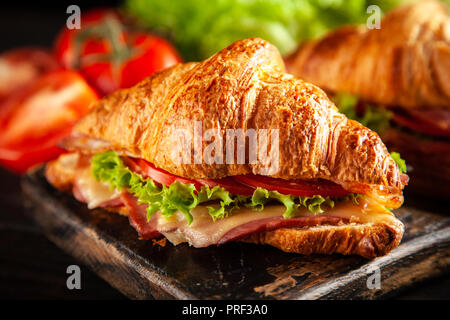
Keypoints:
pixel 108 55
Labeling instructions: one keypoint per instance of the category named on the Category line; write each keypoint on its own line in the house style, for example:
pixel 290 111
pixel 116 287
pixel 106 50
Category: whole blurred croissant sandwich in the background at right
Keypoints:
pixel 396 80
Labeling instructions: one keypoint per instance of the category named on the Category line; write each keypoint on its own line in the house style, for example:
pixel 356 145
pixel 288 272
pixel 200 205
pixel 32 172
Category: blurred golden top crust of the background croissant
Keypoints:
pixel 404 63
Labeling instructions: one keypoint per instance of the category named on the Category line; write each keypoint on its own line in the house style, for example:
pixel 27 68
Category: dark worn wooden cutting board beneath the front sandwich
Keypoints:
pixel 143 269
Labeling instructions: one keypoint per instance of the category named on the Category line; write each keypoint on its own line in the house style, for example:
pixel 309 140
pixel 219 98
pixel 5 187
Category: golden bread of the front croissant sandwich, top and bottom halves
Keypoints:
pixel 245 86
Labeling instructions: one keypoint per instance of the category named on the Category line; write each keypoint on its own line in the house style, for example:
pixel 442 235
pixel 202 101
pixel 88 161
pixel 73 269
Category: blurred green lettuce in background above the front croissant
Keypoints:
pixel 202 27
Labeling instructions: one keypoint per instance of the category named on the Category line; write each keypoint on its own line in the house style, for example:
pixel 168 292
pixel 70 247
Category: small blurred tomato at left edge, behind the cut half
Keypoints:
pixel 19 67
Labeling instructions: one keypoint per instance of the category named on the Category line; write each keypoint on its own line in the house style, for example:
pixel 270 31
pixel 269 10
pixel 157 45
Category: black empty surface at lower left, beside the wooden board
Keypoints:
pixel 32 267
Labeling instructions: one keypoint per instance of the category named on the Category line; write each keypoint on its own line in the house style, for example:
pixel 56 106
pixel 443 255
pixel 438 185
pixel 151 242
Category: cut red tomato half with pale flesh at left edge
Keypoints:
pixel 33 120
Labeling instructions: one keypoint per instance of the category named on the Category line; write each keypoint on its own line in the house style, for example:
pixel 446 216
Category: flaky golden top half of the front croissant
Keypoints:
pixel 244 86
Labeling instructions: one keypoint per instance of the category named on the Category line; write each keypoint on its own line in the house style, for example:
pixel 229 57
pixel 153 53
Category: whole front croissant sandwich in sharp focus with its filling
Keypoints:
pixel 176 154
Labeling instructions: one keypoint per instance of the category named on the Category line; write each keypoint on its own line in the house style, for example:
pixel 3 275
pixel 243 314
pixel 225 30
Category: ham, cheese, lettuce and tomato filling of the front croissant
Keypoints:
pixel 205 212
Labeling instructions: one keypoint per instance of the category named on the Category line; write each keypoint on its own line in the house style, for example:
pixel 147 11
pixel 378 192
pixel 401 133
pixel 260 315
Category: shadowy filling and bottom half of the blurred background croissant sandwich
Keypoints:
pixel 422 137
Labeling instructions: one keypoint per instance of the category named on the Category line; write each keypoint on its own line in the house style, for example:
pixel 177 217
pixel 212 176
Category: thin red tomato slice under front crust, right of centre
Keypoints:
pixel 295 187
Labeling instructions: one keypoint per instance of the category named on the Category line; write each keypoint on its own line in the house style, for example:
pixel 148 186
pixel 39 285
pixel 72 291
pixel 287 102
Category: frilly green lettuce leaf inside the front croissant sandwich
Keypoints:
pixel 109 167
